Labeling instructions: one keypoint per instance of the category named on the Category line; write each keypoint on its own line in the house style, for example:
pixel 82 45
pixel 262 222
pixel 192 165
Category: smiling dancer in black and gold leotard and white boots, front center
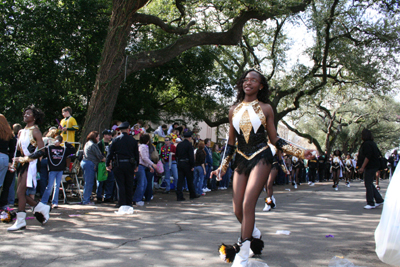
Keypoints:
pixel 250 119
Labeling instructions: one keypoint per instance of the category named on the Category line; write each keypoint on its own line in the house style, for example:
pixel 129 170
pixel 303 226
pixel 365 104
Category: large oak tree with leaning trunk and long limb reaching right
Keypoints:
pixel 115 64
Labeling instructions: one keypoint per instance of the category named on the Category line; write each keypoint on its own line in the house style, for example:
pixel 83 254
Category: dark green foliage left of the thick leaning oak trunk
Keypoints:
pixel 49 55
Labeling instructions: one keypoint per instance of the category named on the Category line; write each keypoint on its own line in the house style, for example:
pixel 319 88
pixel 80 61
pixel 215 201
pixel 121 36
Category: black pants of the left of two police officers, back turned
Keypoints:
pixel 124 177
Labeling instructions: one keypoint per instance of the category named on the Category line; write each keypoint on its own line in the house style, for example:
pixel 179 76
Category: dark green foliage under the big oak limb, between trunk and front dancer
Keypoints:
pixel 186 86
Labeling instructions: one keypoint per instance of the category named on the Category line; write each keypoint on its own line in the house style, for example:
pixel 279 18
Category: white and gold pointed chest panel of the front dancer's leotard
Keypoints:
pixel 245 122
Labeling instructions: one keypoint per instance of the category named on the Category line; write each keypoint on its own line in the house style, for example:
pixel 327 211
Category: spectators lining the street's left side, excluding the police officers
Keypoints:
pixel 157 163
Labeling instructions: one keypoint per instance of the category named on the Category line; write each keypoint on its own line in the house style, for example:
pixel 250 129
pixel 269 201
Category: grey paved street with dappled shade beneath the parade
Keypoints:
pixel 170 233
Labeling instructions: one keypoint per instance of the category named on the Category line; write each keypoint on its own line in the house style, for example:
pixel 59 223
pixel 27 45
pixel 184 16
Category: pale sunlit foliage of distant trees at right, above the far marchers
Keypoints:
pixel 340 116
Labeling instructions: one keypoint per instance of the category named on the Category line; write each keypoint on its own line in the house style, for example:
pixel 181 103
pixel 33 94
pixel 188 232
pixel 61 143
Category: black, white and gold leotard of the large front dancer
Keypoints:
pixel 250 124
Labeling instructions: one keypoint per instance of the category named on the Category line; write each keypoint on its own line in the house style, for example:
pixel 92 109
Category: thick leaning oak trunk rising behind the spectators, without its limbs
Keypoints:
pixel 111 71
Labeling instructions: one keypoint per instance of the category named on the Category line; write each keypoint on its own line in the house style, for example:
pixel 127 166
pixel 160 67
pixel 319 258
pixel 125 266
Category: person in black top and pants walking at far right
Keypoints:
pixel 368 160
